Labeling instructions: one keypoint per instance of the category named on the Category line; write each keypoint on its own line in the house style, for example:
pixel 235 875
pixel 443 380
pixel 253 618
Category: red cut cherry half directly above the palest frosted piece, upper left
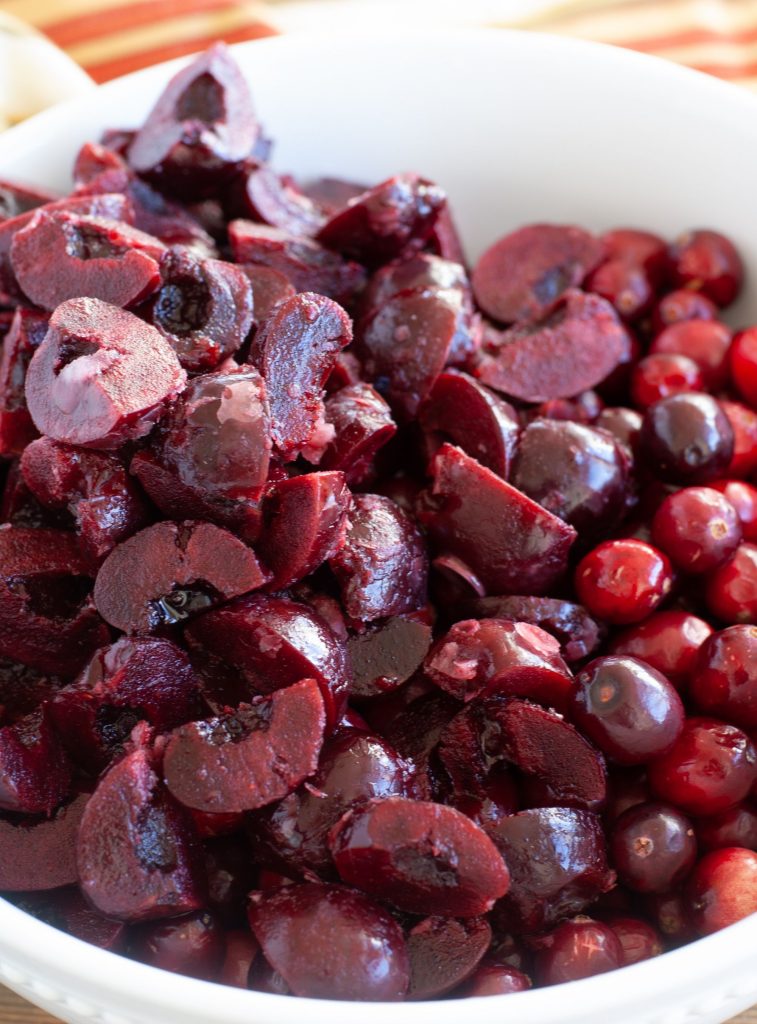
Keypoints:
pixel 62 255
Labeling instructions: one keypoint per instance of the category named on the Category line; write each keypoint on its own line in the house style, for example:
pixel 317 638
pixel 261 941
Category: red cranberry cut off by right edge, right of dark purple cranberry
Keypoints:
pixel 725 679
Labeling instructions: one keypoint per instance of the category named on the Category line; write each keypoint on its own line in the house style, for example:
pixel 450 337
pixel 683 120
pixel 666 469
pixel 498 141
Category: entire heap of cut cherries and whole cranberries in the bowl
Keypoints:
pixel 368 631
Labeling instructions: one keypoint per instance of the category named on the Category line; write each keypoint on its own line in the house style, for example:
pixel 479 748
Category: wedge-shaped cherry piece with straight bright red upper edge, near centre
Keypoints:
pixel 512 544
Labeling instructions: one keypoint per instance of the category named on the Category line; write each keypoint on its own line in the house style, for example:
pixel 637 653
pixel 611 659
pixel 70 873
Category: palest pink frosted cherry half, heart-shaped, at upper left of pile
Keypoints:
pixel 101 377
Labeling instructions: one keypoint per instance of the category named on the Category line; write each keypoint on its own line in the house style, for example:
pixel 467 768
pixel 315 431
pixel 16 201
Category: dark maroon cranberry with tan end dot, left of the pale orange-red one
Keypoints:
pixel 653 847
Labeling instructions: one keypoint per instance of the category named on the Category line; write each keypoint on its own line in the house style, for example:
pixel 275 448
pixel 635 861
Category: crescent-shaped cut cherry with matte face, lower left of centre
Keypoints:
pixel 251 757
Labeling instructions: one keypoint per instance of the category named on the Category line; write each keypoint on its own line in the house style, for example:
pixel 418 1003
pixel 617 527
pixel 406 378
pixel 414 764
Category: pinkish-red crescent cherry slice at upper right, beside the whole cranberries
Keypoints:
pixel 575 348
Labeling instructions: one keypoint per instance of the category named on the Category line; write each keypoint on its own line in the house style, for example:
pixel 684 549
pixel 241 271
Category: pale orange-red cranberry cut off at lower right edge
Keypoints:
pixel 724 889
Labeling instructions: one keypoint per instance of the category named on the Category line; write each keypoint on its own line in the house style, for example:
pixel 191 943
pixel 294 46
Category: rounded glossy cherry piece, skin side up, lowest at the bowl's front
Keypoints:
pixel 365 957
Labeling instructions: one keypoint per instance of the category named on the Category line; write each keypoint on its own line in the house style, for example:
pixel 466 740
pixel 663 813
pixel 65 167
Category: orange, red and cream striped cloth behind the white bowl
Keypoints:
pixel 113 37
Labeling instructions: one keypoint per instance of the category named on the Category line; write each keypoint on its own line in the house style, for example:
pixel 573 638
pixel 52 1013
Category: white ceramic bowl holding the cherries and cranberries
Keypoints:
pixel 519 129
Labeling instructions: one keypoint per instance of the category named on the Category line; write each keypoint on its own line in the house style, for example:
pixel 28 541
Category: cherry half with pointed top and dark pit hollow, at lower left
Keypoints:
pixel 138 856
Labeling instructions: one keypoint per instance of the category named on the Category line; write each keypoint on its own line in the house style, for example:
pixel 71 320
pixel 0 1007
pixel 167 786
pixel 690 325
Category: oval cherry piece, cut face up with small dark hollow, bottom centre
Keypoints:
pixel 419 857
